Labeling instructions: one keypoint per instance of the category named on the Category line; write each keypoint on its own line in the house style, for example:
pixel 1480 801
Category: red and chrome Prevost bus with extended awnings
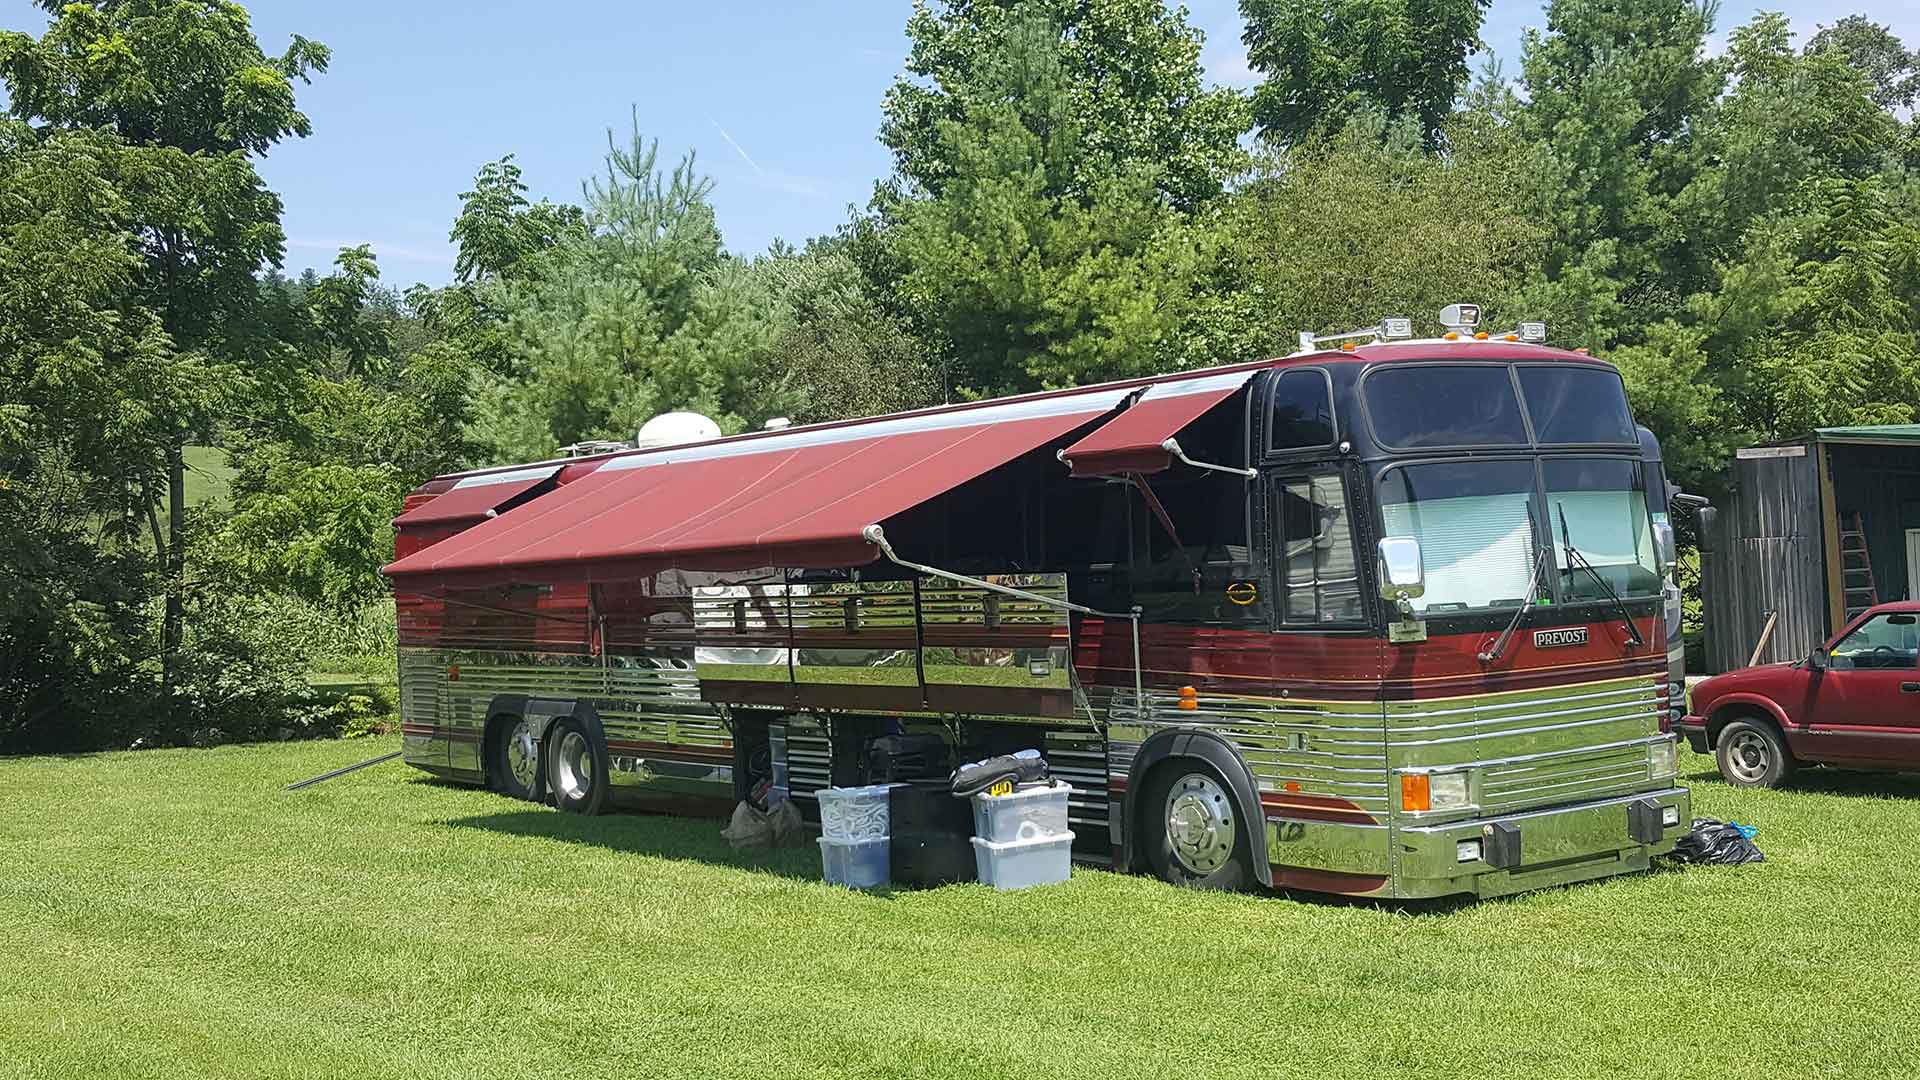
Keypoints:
pixel 1378 620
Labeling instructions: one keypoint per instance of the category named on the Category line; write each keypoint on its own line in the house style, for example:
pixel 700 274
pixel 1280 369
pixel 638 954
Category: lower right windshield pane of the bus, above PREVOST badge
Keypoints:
pixel 1604 504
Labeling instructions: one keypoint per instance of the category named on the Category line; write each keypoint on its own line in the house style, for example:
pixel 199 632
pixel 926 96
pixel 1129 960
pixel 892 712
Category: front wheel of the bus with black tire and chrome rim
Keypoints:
pixel 1188 814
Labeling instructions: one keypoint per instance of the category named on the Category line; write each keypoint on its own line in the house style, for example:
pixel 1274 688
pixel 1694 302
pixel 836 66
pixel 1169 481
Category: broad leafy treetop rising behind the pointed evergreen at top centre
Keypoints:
pixel 1130 78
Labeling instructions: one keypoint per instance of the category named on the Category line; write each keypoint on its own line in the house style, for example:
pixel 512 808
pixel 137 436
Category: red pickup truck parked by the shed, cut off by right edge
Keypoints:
pixel 1852 702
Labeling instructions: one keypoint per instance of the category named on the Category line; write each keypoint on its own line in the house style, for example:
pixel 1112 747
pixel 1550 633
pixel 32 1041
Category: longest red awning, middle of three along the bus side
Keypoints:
pixel 796 499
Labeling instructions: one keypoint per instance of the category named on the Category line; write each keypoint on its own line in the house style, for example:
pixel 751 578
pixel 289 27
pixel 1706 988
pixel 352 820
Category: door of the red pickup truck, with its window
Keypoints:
pixel 1865 708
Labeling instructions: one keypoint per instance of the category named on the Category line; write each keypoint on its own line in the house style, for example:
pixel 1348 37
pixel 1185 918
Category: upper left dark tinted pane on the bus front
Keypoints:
pixel 1445 406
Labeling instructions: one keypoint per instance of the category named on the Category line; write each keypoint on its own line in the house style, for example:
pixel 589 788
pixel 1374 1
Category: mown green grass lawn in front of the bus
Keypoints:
pixel 174 914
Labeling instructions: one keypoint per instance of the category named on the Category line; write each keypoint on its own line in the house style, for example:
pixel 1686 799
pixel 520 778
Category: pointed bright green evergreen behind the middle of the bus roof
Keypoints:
pixel 1032 274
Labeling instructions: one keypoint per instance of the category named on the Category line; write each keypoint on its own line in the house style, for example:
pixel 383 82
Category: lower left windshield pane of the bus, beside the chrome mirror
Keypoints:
pixel 1476 528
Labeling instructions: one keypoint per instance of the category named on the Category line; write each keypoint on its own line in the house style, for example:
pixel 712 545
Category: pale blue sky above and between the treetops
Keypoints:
pixel 779 101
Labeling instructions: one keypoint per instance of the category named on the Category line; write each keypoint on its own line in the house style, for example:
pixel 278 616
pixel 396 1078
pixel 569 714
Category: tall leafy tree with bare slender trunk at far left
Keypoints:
pixel 189 93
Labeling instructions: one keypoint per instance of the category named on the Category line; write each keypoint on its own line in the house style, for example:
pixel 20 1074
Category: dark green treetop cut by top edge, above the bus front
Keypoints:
pixel 1326 61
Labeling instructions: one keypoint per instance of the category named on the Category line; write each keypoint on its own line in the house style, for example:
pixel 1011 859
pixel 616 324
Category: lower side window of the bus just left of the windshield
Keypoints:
pixel 1314 551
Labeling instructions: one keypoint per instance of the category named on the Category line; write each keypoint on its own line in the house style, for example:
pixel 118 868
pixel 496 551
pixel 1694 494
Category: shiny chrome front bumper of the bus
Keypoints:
pixel 1554 847
